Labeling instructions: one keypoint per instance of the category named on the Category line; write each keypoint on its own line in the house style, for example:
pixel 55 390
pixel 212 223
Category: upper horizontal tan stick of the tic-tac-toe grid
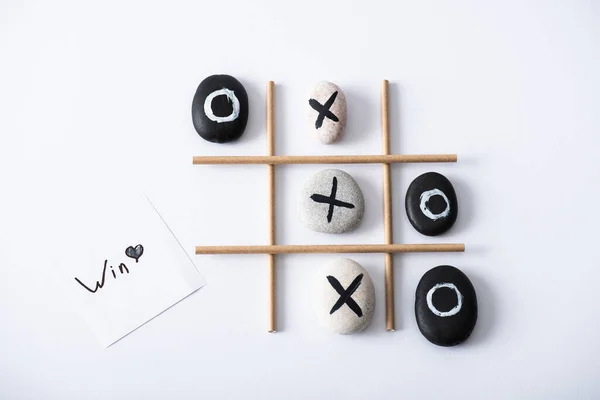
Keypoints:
pixel 358 159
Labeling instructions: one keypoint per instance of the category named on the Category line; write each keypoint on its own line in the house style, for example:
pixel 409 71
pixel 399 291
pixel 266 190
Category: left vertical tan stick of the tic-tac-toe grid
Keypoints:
pixel 271 168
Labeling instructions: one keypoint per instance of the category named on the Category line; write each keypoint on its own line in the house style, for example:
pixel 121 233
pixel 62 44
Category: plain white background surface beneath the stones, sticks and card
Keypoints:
pixel 93 95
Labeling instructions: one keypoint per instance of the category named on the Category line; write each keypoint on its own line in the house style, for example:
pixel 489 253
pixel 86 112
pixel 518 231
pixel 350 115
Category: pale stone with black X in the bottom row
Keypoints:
pixel 345 296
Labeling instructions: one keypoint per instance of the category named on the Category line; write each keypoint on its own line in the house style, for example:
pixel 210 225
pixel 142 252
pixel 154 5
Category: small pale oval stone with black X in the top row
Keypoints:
pixel 327 112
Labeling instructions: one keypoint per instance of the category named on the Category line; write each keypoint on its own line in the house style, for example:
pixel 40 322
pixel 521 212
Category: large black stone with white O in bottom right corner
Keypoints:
pixel 445 306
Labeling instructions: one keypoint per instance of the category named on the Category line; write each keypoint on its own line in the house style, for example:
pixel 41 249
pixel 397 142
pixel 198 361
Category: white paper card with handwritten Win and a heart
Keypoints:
pixel 130 269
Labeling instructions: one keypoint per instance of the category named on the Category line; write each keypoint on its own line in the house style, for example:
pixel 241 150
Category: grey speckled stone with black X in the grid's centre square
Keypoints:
pixel 332 202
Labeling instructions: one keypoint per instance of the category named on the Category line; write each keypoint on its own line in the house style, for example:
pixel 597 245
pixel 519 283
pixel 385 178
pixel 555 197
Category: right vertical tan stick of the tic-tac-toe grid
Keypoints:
pixel 387 212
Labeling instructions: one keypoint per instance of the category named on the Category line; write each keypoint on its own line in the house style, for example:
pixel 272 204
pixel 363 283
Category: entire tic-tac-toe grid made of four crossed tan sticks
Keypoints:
pixel 388 248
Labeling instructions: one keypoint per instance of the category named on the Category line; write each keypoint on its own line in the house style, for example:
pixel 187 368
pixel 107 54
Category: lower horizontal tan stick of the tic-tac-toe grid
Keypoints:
pixel 332 248
